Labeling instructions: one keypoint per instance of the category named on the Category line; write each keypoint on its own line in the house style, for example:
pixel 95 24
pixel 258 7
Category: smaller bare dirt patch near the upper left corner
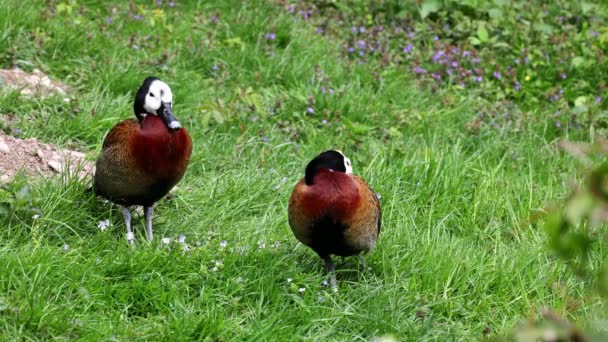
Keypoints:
pixel 35 83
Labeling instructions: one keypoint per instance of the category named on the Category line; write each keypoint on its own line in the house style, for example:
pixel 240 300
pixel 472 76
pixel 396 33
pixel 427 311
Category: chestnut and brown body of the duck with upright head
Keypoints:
pixel 140 163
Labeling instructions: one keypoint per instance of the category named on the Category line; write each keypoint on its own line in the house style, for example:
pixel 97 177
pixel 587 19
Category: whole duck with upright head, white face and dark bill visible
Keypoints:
pixel 143 158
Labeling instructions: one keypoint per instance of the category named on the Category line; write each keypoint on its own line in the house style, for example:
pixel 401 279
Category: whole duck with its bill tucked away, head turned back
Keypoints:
pixel 334 212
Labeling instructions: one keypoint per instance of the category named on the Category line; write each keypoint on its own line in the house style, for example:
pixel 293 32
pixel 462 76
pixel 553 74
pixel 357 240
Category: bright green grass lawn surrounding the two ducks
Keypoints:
pixel 459 249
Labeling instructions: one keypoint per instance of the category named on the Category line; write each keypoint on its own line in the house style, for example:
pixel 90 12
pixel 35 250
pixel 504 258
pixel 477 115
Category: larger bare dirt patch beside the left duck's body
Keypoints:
pixel 39 159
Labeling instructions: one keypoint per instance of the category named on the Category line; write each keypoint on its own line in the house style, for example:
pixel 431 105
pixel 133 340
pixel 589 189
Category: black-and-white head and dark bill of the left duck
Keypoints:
pixel 155 97
